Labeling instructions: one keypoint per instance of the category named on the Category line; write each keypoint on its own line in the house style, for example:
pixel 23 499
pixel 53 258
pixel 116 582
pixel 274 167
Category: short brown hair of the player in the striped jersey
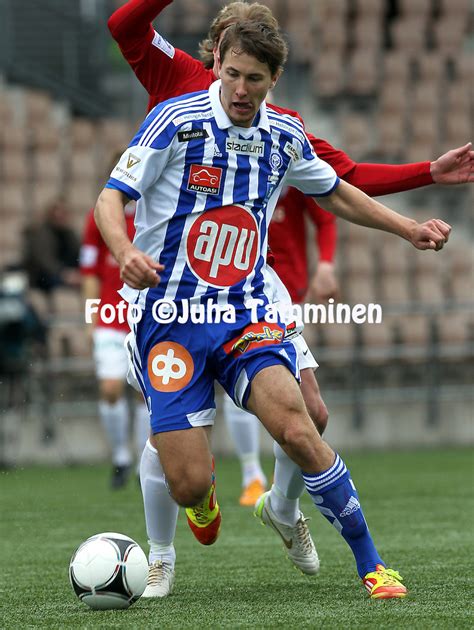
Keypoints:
pixel 256 40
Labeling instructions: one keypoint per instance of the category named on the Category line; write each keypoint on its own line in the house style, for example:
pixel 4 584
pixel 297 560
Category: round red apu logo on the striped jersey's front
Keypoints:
pixel 222 246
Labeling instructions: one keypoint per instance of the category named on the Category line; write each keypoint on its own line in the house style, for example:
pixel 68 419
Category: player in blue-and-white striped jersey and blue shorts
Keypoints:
pixel 207 170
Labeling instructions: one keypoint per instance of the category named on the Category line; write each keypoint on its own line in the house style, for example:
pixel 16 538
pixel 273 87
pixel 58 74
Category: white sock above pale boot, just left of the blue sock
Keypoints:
pixel 288 486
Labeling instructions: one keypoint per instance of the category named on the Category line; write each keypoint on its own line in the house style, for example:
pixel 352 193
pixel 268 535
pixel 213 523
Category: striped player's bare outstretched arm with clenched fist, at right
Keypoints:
pixel 353 205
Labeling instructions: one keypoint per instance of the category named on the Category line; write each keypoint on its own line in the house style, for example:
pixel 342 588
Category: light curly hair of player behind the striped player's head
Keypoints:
pixel 230 14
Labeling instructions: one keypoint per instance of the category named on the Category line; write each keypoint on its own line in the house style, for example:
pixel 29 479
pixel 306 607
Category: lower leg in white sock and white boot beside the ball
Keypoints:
pixel 161 515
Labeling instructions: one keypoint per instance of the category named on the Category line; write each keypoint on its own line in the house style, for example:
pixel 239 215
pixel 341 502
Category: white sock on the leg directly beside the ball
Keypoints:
pixel 161 511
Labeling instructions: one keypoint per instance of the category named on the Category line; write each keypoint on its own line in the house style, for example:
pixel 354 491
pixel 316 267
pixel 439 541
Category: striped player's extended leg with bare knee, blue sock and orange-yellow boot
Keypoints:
pixel 276 399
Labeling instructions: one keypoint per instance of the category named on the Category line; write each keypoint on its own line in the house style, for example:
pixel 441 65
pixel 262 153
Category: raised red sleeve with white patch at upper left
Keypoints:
pixel 163 71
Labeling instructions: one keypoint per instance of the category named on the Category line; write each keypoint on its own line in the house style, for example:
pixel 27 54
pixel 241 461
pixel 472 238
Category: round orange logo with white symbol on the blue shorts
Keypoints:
pixel 170 367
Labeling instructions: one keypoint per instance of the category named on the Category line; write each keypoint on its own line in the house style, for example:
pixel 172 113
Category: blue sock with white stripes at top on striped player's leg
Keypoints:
pixel 335 496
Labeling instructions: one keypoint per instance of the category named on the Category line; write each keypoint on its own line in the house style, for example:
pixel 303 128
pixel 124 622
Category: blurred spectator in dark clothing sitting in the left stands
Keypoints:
pixel 51 250
